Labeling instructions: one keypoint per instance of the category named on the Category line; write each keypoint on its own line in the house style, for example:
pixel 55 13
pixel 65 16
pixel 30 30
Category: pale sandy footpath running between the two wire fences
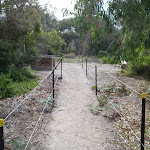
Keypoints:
pixel 73 126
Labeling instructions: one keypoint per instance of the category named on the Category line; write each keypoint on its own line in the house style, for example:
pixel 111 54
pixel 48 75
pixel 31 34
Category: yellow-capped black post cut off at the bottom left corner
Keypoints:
pixel 1 134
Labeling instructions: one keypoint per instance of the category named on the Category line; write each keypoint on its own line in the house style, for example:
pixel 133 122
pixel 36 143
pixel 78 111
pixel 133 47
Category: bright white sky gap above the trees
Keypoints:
pixel 58 5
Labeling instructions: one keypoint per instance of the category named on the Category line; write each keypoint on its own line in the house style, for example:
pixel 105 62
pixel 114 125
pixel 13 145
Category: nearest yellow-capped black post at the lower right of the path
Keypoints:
pixel 143 121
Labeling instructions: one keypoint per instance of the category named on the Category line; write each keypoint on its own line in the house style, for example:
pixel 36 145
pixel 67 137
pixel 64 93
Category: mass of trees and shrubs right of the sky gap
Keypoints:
pixel 122 32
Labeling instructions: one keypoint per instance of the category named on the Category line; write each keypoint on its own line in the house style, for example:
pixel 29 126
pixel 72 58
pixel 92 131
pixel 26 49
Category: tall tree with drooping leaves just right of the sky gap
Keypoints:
pixel 88 12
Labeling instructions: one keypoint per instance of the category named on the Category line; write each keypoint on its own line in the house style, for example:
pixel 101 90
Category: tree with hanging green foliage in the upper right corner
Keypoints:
pixel 134 18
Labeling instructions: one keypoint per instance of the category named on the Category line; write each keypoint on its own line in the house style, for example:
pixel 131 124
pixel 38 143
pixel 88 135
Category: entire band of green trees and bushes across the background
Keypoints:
pixel 122 32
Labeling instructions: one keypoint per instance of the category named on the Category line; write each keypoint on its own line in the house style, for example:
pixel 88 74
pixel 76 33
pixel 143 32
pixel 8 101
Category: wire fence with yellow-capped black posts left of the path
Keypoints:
pixel 3 121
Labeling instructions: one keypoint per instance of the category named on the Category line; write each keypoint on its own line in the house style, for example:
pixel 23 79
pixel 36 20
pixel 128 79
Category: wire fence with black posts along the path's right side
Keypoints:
pixel 143 97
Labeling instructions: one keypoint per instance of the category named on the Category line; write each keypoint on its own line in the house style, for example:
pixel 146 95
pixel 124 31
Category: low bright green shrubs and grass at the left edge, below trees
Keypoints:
pixel 16 81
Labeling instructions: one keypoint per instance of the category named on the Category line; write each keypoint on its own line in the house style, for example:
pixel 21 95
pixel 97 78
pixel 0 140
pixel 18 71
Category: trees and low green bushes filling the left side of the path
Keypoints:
pixel 27 31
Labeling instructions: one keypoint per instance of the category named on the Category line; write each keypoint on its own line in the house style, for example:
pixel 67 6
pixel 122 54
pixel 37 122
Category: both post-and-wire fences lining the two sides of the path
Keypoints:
pixel 140 140
